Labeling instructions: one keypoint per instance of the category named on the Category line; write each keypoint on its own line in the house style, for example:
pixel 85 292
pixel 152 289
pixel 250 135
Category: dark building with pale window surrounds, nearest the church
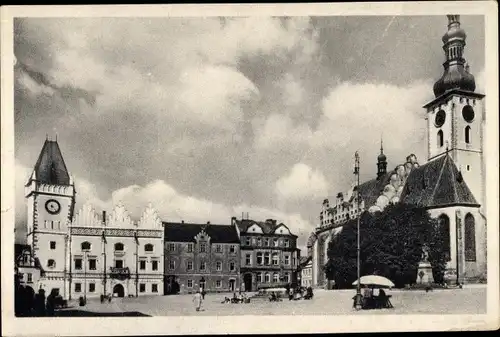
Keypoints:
pixel 269 254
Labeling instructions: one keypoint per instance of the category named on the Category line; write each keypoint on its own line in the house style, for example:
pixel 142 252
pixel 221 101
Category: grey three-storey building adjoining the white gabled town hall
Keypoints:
pixel 201 256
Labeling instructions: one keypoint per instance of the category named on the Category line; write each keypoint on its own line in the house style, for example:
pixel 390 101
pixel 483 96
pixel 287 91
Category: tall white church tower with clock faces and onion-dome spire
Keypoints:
pixel 455 118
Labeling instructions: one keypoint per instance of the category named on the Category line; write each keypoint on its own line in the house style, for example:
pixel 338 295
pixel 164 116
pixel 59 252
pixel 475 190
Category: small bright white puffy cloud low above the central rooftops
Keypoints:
pixel 301 182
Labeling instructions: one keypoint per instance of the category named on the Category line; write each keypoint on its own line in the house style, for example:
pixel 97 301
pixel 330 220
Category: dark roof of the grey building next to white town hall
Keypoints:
pixel 186 232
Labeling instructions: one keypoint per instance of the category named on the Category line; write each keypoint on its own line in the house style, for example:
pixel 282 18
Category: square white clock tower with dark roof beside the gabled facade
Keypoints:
pixel 50 195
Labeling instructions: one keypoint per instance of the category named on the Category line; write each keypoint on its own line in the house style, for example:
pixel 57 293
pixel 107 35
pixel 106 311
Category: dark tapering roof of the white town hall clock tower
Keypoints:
pixel 50 167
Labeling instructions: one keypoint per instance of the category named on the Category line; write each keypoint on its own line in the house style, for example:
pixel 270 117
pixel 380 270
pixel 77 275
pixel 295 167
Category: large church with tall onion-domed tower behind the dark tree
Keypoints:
pixel 450 185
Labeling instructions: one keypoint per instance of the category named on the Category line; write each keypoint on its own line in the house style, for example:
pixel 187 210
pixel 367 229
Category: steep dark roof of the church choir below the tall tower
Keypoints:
pixel 437 183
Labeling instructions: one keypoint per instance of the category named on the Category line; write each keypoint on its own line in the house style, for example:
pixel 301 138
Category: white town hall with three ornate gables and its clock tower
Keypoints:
pixel 82 254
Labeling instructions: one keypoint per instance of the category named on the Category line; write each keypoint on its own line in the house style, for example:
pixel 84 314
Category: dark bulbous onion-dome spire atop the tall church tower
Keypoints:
pixel 456 70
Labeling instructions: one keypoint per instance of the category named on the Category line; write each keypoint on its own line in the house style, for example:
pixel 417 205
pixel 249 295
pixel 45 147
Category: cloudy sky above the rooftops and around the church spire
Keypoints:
pixel 207 118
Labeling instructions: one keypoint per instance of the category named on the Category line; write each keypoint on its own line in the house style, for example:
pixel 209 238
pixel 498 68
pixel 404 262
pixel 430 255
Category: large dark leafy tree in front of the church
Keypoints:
pixel 391 245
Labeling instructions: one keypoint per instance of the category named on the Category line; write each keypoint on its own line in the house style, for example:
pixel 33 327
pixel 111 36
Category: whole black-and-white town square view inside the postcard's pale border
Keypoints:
pixel 176 166
